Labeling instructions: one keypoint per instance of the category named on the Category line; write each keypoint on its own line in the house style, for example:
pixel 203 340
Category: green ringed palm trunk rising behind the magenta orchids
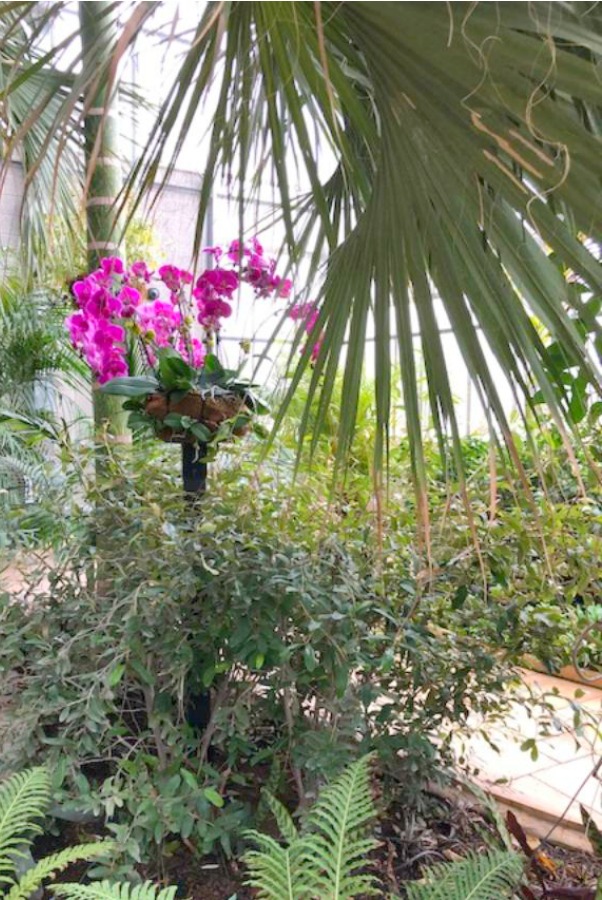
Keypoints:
pixel 103 178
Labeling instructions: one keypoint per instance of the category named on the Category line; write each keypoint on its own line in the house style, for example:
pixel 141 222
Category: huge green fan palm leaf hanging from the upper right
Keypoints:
pixel 451 159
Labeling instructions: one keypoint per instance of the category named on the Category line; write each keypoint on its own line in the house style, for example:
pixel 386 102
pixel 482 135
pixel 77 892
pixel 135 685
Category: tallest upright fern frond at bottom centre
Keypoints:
pixel 339 842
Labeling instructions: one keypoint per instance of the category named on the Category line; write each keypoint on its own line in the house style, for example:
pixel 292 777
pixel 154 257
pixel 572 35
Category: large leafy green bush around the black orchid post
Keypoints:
pixel 309 620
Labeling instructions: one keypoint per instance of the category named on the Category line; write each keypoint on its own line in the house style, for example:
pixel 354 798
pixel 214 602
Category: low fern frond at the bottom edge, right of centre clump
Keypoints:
pixel 491 876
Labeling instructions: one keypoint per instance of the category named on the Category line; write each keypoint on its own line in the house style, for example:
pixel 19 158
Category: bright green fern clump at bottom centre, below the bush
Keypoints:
pixel 328 857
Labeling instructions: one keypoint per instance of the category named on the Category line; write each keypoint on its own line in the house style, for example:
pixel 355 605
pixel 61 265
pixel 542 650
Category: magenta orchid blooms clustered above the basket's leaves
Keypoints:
pixel 116 300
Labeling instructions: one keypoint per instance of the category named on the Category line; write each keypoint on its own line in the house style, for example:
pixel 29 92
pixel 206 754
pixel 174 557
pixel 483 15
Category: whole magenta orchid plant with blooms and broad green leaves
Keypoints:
pixel 176 322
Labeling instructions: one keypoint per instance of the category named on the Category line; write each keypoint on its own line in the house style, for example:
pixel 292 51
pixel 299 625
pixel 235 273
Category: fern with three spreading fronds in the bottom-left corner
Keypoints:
pixel 24 800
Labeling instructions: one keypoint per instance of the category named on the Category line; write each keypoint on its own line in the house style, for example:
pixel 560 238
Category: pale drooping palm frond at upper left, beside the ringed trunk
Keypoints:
pixel 43 105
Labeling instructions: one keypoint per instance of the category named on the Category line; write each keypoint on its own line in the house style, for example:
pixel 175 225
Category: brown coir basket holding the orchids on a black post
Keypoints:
pixel 209 411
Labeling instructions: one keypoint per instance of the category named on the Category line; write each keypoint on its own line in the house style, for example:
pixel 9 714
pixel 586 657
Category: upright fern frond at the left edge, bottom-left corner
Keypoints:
pixel 24 799
